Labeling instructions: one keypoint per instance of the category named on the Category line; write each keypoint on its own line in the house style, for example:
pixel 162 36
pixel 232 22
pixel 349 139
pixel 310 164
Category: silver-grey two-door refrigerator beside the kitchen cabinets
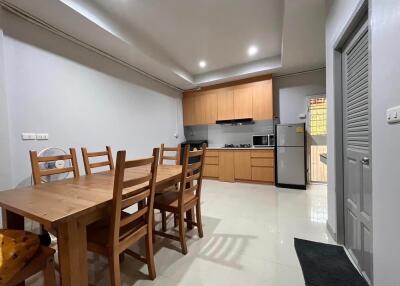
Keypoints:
pixel 290 159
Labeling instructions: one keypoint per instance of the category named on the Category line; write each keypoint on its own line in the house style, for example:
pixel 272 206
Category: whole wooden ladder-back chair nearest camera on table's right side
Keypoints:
pixel 113 238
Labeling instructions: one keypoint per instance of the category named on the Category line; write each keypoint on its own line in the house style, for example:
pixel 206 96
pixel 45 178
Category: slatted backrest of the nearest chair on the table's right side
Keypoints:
pixel 147 171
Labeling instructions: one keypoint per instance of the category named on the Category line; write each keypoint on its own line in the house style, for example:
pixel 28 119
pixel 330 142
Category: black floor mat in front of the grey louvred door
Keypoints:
pixel 326 265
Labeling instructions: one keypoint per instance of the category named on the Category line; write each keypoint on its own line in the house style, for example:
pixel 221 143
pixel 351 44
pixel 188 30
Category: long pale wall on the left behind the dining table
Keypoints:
pixel 80 98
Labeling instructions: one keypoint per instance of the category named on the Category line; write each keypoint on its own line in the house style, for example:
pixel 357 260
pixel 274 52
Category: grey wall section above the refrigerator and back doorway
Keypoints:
pixel 291 92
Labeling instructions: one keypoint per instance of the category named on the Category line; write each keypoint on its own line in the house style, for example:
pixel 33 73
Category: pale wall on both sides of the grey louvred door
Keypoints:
pixel 385 92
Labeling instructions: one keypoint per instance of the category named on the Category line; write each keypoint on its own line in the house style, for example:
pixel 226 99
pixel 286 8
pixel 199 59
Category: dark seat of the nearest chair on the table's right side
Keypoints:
pixel 98 234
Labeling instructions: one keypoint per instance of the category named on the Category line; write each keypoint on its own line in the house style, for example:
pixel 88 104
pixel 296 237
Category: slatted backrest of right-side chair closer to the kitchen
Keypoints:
pixel 192 174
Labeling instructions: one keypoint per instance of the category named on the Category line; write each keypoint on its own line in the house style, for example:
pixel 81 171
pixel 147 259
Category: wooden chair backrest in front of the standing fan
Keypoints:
pixel 37 173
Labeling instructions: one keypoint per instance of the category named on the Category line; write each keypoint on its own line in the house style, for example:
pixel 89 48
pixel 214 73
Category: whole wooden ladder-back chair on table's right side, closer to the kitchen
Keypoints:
pixel 187 198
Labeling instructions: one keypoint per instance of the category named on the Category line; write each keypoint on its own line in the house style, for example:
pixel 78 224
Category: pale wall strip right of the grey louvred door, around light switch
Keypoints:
pixel 385 140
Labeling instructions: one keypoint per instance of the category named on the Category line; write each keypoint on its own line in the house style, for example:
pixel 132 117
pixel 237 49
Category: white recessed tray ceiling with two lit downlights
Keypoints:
pixel 168 38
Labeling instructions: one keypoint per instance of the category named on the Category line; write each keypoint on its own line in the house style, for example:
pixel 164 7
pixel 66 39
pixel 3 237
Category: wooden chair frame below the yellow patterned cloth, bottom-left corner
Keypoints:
pixel 42 261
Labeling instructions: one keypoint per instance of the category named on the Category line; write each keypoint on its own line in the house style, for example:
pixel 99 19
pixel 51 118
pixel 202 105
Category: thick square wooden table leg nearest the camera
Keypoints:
pixel 72 247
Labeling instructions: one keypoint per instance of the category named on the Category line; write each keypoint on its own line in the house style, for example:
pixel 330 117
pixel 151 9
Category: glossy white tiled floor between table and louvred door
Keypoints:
pixel 248 240
